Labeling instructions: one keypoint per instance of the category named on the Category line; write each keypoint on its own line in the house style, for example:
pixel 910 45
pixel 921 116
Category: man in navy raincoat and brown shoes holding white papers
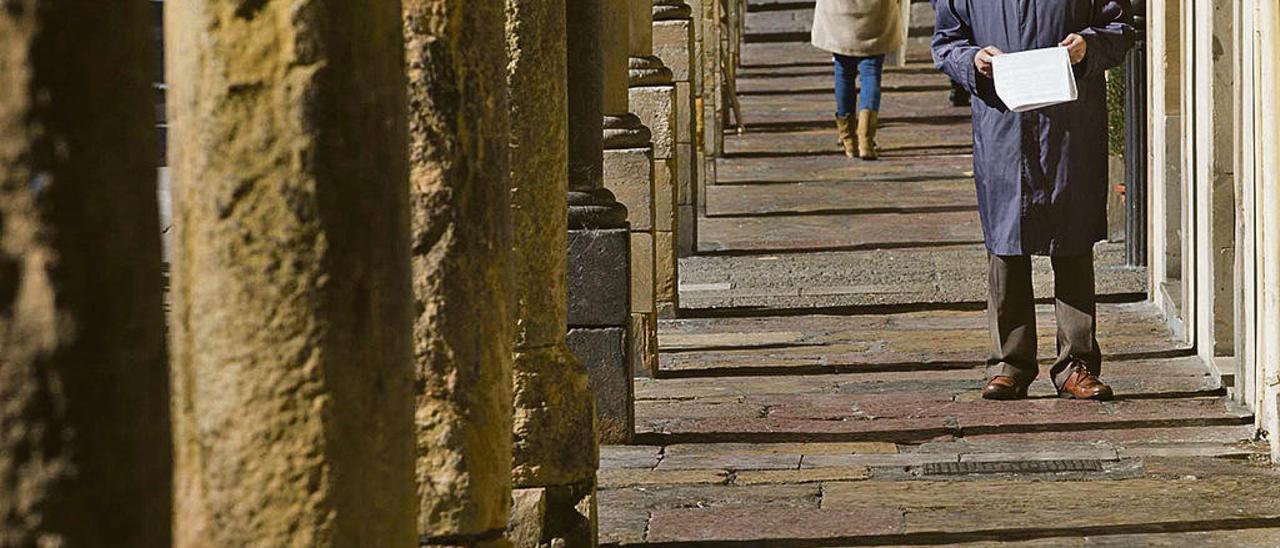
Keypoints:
pixel 1041 176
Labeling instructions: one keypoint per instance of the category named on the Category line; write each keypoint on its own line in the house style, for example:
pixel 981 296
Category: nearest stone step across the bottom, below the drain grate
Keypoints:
pixel 1224 503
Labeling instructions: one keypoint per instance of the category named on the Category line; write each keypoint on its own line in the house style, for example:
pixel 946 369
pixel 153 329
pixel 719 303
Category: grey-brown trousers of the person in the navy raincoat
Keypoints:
pixel 1012 316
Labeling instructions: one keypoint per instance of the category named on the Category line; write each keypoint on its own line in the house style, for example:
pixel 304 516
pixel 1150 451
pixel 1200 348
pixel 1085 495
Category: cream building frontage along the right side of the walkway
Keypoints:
pixel 1214 197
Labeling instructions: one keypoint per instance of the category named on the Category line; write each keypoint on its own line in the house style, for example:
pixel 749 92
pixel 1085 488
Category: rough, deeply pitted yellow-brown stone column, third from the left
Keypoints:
pixel 461 254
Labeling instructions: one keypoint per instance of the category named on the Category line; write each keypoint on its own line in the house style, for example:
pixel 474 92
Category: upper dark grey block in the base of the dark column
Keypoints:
pixel 600 277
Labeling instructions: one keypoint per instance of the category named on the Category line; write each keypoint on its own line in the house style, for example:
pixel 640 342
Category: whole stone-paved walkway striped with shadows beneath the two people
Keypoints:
pixel 822 389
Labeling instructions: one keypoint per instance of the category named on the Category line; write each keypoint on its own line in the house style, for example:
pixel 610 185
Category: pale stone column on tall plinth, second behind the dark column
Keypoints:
pixel 653 99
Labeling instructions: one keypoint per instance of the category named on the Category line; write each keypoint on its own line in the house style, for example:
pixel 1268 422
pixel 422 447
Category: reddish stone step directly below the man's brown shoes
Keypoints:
pixel 767 419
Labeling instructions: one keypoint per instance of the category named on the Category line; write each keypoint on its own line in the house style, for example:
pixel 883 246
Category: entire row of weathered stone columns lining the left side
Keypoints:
pixel 417 245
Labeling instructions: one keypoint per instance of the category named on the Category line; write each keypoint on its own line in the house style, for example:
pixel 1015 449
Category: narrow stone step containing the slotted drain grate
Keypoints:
pixel 738 464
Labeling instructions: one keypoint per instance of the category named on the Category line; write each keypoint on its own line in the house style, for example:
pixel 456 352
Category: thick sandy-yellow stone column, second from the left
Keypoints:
pixel 292 369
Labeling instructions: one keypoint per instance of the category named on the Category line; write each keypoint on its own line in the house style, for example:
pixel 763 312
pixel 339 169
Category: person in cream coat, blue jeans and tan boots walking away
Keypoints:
pixel 858 34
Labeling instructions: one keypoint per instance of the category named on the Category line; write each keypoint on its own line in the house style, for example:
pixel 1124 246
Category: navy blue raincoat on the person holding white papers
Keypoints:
pixel 1041 176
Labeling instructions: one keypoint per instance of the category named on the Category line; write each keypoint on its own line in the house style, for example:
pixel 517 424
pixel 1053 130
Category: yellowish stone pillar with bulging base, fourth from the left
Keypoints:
pixel 556 453
